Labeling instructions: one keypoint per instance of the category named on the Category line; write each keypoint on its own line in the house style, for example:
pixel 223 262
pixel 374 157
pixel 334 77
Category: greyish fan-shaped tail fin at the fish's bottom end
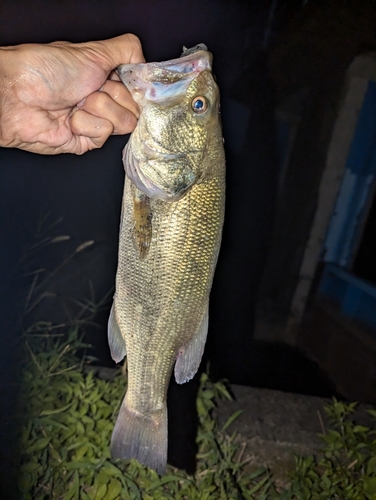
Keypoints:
pixel 142 437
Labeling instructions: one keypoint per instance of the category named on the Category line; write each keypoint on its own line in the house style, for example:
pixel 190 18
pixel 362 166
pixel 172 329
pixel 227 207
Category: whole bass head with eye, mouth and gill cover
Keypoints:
pixel 179 116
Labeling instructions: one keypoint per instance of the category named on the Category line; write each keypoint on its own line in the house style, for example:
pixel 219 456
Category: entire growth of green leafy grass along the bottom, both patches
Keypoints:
pixel 68 417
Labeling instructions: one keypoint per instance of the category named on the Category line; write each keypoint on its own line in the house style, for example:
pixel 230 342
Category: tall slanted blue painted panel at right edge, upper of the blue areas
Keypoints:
pixel 357 186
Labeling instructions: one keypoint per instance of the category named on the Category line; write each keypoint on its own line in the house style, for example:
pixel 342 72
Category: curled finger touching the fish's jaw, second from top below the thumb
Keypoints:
pixel 102 105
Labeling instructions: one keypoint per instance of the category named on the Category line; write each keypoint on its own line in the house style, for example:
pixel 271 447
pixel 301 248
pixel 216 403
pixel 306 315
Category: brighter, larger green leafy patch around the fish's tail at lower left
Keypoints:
pixel 68 425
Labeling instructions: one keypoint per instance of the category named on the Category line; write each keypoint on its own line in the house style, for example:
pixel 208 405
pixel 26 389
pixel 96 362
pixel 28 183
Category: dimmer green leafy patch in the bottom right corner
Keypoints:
pixel 346 469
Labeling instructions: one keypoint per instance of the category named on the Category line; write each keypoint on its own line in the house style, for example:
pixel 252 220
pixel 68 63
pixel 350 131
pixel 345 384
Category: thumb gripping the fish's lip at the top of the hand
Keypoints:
pixel 123 49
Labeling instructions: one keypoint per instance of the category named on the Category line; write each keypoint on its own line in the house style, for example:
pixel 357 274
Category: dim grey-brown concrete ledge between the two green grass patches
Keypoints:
pixel 275 426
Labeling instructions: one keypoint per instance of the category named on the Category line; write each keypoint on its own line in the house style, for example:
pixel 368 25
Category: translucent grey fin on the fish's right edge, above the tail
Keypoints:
pixel 189 358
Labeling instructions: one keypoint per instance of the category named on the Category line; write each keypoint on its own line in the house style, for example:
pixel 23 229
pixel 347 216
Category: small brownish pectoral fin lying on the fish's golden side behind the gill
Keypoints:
pixel 142 228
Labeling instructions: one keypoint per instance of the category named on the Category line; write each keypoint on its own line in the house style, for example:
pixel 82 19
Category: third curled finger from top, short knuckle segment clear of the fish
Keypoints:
pixel 95 128
